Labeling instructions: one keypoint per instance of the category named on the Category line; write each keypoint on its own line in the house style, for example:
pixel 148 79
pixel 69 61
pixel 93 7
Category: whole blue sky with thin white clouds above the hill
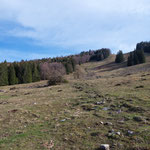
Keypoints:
pixel 32 29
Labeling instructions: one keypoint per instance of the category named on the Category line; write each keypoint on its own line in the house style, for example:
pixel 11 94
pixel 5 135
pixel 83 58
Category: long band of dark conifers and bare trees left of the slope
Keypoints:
pixel 36 70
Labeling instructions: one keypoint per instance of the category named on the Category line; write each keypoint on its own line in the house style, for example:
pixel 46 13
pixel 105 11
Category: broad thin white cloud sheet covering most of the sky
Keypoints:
pixel 80 24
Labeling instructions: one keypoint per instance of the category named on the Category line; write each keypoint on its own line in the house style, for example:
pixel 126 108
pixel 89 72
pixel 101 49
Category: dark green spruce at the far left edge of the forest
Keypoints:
pixel 3 74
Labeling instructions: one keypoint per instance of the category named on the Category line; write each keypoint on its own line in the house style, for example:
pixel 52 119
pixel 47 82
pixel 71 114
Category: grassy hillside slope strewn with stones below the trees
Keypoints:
pixel 107 104
